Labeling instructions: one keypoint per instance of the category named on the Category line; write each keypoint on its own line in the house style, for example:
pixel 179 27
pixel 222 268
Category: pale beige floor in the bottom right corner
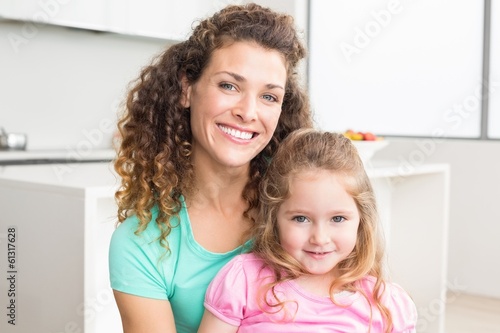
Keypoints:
pixel 472 314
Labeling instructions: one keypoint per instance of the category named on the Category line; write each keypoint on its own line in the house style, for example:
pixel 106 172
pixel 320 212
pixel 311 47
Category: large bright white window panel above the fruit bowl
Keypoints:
pixel 397 67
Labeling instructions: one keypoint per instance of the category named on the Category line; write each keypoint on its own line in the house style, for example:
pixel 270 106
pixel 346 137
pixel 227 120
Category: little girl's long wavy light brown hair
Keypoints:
pixel 309 149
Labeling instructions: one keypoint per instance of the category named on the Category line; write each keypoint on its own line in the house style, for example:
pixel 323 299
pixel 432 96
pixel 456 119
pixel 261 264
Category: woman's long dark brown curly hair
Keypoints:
pixel 153 159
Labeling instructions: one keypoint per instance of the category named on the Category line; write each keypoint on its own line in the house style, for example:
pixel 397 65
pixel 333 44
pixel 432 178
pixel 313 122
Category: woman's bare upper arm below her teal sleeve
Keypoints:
pixel 141 314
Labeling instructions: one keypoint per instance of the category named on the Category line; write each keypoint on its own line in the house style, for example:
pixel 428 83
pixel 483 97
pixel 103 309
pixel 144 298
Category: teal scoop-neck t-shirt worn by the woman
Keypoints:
pixel 138 265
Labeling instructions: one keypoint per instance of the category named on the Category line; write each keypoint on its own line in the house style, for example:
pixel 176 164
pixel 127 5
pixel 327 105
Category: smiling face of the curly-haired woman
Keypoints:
pixel 236 104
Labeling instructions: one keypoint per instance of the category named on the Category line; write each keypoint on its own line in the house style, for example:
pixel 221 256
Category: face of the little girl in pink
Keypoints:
pixel 318 223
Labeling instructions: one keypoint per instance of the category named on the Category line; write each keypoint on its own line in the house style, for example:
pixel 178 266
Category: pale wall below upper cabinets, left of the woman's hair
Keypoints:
pixel 63 86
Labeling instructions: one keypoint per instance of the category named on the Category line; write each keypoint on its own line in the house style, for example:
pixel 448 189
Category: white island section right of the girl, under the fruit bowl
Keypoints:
pixel 414 208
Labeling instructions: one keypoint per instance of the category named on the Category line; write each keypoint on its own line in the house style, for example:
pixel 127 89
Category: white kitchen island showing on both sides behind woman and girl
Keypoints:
pixel 63 216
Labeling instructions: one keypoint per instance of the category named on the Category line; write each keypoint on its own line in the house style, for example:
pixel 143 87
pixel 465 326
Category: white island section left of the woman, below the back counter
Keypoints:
pixel 56 221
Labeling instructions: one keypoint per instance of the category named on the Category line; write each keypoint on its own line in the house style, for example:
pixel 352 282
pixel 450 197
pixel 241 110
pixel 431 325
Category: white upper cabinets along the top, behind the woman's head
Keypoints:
pixel 166 19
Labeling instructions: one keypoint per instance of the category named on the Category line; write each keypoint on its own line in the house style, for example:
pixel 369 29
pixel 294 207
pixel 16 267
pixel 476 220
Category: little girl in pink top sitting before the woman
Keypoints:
pixel 316 264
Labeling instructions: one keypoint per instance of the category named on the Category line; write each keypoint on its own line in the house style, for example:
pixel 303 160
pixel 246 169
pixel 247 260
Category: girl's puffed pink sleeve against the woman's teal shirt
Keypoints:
pixel 220 299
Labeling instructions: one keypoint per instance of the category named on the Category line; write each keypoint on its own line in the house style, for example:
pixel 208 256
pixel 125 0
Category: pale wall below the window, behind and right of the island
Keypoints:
pixel 474 226
